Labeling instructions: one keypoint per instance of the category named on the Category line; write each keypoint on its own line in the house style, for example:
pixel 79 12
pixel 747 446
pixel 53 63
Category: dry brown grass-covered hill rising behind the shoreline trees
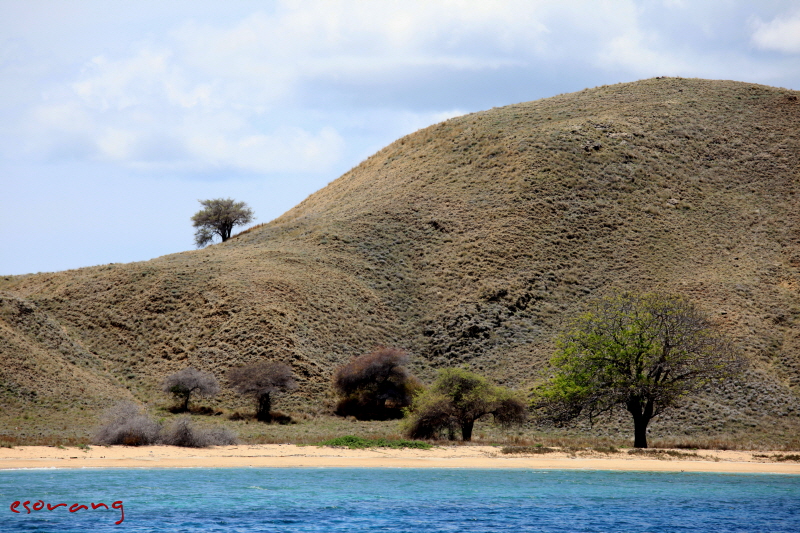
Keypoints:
pixel 470 242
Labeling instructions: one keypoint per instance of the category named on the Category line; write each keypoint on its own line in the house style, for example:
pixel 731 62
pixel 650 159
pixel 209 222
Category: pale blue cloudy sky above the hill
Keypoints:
pixel 117 116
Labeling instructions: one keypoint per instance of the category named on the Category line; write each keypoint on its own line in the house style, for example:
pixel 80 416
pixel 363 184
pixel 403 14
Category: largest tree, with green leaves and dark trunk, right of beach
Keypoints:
pixel 643 352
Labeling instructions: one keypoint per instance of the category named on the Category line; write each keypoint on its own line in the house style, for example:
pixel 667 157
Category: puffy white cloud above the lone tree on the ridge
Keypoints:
pixel 143 111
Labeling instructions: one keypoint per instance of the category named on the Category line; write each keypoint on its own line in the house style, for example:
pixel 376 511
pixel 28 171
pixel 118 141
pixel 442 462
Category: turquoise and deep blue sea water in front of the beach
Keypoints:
pixel 397 500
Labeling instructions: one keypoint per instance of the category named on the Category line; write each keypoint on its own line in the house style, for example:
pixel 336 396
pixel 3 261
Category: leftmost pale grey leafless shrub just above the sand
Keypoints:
pixel 127 424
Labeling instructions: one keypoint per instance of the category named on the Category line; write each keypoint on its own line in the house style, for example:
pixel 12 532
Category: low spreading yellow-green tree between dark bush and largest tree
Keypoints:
pixel 456 400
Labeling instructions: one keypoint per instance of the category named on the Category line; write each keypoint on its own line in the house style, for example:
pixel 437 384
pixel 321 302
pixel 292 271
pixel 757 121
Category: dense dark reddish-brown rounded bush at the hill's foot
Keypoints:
pixel 375 386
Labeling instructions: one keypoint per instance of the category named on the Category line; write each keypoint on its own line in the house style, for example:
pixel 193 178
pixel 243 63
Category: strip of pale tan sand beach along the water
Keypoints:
pixel 289 455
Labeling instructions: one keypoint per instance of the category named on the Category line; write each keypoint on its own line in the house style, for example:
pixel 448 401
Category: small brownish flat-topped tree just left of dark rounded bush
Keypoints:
pixel 261 380
